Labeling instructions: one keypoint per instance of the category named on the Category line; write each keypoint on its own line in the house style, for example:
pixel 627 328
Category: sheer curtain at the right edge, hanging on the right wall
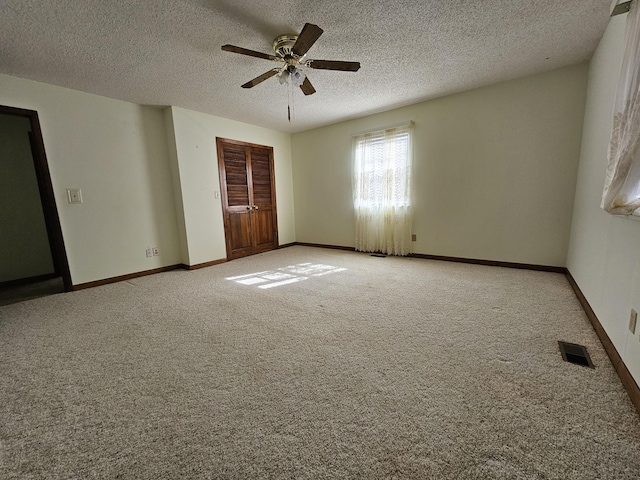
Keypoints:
pixel 621 194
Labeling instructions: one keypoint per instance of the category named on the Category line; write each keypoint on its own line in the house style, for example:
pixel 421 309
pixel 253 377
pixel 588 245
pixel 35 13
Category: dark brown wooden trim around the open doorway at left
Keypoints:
pixel 47 196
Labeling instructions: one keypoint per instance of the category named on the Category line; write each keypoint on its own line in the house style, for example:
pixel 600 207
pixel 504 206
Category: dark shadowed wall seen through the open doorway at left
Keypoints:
pixel 24 244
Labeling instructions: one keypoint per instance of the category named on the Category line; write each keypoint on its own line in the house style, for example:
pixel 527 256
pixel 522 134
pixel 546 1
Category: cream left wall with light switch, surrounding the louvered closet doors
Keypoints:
pixel 147 177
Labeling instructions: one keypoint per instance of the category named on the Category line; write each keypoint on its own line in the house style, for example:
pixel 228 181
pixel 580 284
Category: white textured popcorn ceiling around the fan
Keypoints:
pixel 167 52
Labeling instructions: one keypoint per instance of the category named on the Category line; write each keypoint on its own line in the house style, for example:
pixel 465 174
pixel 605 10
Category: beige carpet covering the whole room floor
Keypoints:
pixel 344 366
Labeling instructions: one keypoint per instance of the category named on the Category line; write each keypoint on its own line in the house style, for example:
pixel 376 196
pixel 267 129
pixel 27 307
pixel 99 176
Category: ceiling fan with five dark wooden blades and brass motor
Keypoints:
pixel 290 50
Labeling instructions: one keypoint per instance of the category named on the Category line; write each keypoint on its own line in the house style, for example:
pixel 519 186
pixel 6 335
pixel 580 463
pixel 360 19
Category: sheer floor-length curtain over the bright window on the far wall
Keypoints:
pixel 382 191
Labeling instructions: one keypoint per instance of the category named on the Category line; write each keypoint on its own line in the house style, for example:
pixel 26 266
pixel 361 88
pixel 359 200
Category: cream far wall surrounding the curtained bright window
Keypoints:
pixel 494 171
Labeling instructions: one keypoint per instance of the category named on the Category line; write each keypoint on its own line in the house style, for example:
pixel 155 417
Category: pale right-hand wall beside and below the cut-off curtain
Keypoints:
pixel 604 253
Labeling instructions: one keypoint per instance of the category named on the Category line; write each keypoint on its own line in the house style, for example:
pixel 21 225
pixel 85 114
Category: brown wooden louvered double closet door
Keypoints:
pixel 248 197
